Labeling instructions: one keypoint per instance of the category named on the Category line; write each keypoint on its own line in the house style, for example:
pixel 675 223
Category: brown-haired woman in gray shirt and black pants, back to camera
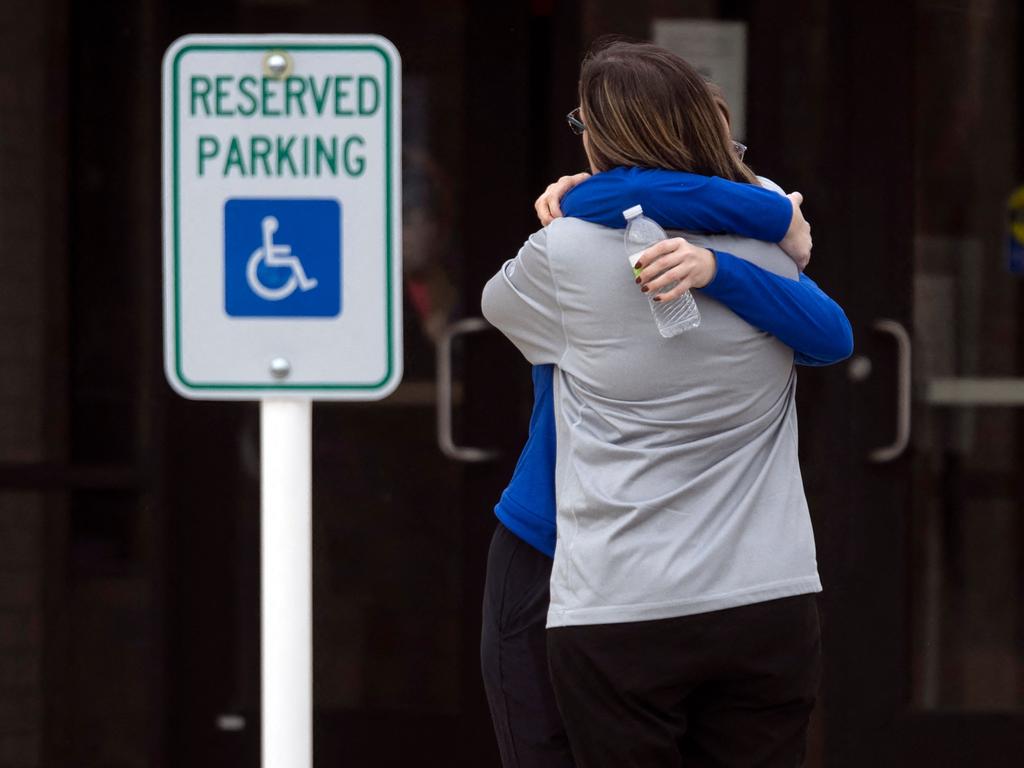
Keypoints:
pixel 682 625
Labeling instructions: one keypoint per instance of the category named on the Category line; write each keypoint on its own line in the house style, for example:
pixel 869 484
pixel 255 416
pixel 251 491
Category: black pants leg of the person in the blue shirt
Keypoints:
pixel 515 657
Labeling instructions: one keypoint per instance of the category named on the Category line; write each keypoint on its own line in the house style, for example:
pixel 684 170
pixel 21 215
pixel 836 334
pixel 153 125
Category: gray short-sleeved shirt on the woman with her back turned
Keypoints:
pixel 678 486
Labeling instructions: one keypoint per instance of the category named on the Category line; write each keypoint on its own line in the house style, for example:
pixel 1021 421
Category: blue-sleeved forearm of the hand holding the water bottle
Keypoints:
pixel 797 313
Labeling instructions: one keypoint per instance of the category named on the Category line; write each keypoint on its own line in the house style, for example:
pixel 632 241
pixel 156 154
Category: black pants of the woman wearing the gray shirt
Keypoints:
pixel 727 689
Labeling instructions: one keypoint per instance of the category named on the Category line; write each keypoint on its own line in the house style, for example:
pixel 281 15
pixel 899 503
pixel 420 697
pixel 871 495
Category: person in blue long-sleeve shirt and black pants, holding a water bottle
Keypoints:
pixel 798 313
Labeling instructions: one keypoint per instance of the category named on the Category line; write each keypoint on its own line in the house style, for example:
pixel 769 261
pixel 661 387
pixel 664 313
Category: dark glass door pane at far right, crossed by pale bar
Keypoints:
pixel 967 526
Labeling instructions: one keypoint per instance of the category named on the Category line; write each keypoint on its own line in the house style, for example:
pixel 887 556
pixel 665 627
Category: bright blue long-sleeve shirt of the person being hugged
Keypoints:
pixel 797 313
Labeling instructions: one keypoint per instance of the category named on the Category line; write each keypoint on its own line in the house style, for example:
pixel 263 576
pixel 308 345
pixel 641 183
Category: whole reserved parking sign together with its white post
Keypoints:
pixel 283 282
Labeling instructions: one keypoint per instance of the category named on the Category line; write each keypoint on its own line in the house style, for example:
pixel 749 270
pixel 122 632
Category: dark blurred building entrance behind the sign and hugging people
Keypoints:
pixel 130 537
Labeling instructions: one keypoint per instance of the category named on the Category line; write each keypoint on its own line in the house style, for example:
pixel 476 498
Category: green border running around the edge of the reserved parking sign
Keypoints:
pixel 389 224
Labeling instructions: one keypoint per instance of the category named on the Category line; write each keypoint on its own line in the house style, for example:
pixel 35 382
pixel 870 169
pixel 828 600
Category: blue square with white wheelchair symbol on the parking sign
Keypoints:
pixel 283 258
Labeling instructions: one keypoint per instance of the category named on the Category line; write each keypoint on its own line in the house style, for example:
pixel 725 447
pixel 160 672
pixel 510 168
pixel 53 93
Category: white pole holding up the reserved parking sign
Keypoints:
pixel 286 595
